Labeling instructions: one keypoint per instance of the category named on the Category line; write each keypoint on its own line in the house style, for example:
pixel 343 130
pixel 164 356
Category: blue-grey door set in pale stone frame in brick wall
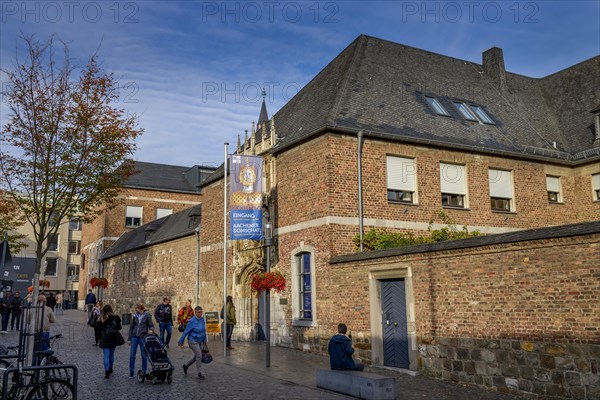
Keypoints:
pixel 395 330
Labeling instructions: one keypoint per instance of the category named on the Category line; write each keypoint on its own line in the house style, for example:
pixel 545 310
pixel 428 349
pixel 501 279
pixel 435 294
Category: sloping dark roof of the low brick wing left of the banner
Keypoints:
pixel 168 228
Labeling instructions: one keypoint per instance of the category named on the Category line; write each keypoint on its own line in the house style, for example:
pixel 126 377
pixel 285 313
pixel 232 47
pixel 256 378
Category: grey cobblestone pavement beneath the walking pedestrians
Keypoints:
pixel 242 374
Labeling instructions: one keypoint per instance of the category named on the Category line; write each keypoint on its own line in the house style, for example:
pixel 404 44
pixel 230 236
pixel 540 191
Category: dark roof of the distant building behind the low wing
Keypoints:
pixel 160 177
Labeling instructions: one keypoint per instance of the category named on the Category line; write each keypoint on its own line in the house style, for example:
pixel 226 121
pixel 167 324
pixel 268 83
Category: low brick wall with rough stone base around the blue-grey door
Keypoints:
pixel 516 317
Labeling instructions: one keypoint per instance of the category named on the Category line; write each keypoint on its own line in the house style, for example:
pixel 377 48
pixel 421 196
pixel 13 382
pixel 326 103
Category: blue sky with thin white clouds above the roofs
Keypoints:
pixel 192 70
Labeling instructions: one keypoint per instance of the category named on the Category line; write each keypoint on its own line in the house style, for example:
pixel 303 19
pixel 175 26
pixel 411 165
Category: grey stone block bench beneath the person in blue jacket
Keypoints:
pixel 363 385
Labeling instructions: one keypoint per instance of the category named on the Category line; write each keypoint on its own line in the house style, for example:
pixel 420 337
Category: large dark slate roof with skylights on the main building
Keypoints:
pixel 378 86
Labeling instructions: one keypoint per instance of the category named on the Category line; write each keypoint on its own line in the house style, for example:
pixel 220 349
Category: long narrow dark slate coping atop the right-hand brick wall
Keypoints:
pixel 579 229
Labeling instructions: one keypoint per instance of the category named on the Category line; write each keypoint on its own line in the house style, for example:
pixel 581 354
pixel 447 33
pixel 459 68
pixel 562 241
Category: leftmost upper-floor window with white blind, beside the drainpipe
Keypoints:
pixel 401 179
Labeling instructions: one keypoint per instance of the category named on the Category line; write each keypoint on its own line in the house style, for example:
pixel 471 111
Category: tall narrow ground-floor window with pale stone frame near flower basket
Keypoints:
pixel 303 286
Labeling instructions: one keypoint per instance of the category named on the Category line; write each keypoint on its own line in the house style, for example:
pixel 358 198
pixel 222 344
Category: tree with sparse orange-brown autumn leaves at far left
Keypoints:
pixel 66 148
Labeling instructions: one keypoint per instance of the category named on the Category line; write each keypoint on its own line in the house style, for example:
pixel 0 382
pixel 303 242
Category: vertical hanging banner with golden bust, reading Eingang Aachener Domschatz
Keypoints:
pixel 245 188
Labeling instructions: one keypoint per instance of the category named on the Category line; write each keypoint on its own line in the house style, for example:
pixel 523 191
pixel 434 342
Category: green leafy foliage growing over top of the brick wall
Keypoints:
pixel 378 239
